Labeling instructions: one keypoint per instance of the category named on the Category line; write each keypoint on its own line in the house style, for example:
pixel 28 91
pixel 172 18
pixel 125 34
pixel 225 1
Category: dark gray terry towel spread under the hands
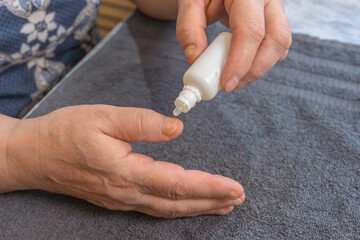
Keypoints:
pixel 291 139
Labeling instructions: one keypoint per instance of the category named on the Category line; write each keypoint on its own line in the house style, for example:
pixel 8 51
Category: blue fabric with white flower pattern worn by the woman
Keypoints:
pixel 39 41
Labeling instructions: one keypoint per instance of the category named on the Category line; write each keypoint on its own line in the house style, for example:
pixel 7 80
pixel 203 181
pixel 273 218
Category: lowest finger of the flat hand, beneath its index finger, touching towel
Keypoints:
pixel 186 207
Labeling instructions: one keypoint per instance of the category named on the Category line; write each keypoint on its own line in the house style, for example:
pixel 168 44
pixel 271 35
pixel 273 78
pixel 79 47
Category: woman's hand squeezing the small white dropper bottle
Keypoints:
pixel 261 35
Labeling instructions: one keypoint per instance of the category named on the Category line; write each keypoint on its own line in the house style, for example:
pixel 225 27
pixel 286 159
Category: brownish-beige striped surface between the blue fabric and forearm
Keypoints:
pixel 111 13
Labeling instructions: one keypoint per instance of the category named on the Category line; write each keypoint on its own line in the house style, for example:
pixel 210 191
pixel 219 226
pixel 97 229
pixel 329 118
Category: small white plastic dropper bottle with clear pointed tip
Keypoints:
pixel 202 79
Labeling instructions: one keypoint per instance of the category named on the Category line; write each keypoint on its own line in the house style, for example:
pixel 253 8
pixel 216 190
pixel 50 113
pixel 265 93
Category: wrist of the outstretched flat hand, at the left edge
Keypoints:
pixel 20 154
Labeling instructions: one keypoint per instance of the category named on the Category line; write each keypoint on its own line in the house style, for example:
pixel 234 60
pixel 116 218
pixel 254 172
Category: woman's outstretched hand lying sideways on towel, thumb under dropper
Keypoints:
pixel 85 152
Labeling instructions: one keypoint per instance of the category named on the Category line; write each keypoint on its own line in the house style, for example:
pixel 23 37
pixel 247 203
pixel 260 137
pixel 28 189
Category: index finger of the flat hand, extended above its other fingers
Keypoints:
pixel 172 181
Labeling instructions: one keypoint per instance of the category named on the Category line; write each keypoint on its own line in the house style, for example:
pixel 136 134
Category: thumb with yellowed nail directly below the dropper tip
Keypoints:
pixel 138 124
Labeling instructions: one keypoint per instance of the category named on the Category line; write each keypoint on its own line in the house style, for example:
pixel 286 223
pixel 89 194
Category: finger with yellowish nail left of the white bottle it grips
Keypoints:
pixel 190 28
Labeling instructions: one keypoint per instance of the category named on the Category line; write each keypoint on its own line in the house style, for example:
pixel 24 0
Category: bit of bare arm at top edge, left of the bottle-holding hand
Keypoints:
pixel 159 9
